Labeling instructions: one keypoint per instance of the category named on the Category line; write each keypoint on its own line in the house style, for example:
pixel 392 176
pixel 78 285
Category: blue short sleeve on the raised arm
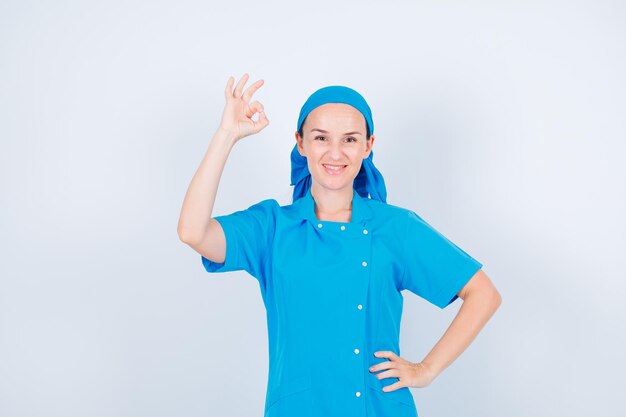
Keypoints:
pixel 249 235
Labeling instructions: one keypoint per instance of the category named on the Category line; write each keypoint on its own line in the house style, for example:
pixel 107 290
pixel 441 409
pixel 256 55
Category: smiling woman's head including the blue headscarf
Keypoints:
pixel 335 135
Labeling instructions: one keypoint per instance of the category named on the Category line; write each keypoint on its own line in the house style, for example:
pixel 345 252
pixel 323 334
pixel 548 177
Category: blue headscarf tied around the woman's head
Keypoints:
pixel 369 181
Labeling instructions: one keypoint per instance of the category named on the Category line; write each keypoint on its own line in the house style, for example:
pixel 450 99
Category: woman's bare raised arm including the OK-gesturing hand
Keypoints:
pixel 196 227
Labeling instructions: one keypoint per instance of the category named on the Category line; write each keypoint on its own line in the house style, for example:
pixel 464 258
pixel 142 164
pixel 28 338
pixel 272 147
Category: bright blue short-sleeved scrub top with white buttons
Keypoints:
pixel 332 296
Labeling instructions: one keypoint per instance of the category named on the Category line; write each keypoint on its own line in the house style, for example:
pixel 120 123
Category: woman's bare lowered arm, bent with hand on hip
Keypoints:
pixel 480 301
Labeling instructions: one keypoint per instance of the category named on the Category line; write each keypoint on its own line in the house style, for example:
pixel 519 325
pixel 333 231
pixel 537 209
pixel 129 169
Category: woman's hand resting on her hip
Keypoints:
pixel 409 374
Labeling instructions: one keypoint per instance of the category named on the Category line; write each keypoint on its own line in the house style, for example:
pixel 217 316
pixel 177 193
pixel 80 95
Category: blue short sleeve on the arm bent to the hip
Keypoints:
pixel 434 267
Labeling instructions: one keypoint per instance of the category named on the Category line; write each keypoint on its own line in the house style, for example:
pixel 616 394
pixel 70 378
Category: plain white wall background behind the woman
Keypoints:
pixel 502 125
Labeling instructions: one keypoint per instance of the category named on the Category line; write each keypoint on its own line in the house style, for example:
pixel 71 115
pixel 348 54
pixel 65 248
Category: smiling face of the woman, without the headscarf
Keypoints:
pixel 334 144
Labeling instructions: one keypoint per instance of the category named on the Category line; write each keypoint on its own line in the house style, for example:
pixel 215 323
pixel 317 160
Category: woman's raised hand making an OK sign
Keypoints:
pixel 238 112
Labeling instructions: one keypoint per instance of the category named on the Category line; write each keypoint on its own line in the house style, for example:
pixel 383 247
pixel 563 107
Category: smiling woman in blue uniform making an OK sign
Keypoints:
pixel 331 265
